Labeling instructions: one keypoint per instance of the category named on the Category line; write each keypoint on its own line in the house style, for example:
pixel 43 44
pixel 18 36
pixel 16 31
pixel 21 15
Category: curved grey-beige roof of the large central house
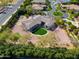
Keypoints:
pixel 37 20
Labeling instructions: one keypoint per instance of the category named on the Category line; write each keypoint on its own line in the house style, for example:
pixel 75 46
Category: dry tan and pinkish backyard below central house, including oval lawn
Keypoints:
pixel 40 39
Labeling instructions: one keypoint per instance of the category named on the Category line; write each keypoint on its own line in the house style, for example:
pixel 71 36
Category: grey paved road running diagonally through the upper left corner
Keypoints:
pixel 4 17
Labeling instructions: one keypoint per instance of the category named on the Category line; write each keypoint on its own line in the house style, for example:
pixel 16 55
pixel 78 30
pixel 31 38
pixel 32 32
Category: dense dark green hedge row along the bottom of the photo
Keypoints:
pixel 30 51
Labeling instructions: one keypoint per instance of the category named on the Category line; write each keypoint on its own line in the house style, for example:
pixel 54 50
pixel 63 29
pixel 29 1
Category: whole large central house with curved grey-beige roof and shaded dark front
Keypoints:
pixel 39 21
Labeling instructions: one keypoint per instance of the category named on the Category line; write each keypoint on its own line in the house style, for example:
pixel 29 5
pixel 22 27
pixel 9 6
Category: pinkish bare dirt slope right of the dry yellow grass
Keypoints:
pixel 62 38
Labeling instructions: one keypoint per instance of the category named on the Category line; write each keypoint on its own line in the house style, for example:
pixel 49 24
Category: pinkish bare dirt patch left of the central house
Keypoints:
pixel 18 28
